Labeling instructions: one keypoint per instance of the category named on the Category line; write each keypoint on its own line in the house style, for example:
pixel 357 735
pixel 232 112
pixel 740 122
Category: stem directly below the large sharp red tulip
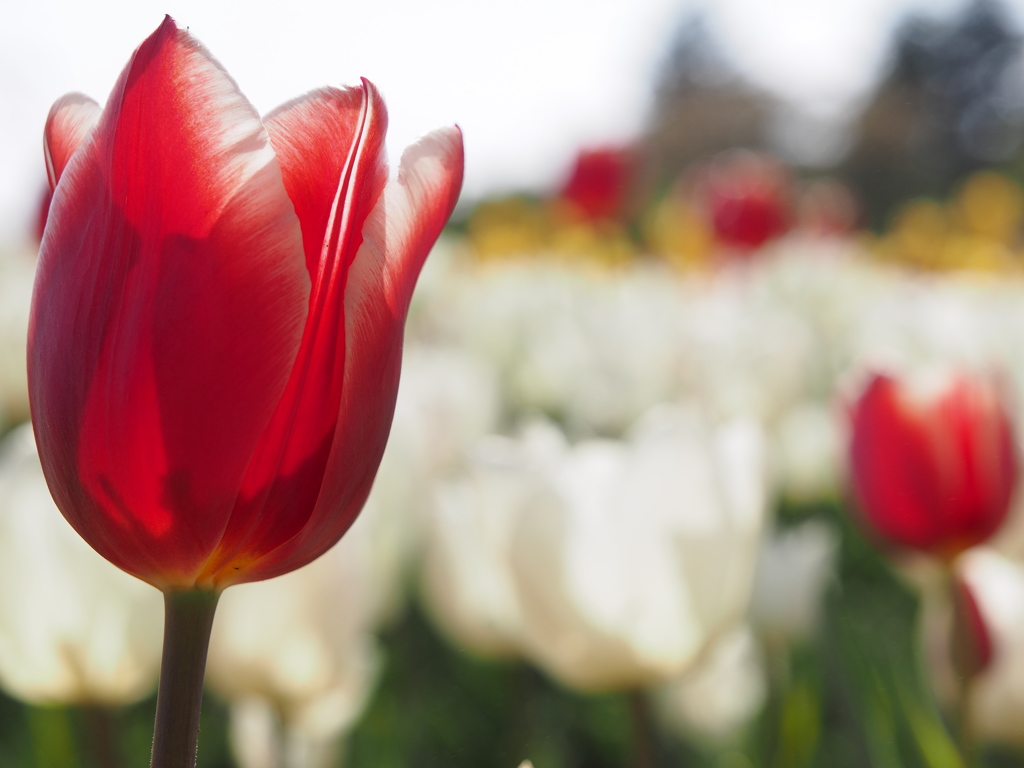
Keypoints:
pixel 188 621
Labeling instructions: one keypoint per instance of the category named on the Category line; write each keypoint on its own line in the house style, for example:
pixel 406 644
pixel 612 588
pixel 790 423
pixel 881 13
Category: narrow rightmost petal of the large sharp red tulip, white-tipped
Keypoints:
pixel 398 237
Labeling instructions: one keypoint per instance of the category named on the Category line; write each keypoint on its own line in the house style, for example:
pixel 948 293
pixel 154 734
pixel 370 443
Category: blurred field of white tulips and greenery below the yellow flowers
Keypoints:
pixel 425 639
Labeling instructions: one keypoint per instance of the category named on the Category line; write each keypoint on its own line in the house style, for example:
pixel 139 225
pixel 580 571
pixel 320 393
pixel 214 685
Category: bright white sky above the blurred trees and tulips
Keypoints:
pixel 529 81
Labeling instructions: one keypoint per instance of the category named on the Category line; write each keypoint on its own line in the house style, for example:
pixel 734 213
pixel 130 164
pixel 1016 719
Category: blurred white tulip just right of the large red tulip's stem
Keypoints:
pixel 302 644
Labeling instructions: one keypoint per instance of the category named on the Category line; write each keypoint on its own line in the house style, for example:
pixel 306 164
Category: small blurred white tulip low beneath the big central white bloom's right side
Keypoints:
pixel 722 694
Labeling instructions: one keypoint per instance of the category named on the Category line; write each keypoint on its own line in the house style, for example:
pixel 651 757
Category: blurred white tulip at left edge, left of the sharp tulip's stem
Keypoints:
pixel 74 629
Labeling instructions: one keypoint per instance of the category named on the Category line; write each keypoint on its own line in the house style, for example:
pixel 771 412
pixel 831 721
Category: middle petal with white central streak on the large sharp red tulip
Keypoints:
pixel 332 158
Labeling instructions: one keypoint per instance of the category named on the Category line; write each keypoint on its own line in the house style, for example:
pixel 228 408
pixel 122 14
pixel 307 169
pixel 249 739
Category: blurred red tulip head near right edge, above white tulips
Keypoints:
pixel 933 472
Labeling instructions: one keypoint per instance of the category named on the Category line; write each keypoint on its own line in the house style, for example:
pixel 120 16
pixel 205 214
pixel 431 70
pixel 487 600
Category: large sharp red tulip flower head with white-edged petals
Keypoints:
pixel 219 314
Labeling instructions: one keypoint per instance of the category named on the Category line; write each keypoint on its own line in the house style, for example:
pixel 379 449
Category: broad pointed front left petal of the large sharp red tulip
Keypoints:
pixel 167 314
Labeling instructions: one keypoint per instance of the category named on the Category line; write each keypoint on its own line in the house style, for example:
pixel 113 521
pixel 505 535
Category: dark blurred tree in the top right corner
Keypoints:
pixel 953 103
